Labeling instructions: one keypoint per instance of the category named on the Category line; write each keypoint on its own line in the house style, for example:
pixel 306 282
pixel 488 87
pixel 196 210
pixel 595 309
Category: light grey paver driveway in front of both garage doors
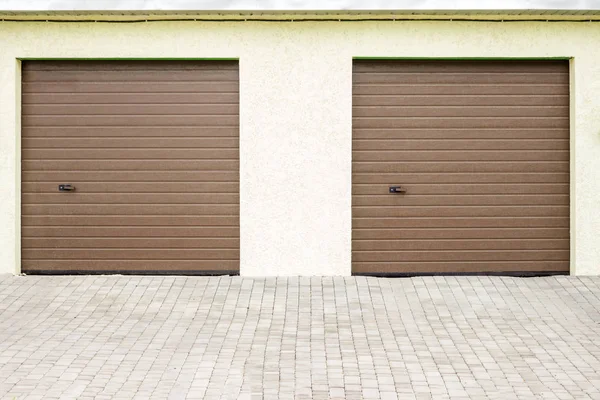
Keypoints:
pixel 108 337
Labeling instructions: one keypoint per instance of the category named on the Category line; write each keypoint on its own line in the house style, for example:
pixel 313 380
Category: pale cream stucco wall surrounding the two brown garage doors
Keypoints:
pixel 295 97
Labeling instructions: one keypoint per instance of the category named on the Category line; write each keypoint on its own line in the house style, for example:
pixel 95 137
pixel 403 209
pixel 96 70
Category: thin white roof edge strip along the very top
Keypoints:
pixel 458 6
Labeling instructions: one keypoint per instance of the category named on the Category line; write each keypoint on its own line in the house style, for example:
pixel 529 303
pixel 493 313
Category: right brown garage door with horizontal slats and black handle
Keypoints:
pixel 482 149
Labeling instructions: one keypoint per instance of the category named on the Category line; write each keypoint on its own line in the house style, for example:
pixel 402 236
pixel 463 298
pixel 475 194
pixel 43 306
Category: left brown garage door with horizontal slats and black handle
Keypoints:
pixel 151 148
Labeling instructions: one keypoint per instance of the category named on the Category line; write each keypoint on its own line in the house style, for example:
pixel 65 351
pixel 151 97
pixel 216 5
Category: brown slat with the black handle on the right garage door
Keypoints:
pixel 465 189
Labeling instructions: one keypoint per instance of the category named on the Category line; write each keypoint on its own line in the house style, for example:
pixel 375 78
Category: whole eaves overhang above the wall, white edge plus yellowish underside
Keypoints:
pixel 568 10
